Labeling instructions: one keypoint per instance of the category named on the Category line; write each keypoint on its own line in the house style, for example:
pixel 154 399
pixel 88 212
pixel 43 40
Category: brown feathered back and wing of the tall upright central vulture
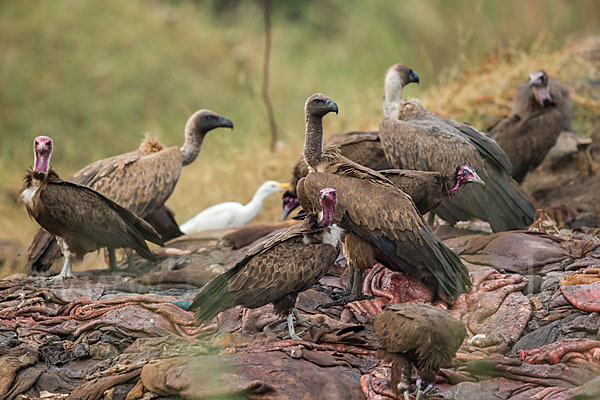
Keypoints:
pixel 374 209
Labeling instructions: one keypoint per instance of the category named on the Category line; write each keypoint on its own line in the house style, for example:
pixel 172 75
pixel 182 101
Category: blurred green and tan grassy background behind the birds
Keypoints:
pixel 96 75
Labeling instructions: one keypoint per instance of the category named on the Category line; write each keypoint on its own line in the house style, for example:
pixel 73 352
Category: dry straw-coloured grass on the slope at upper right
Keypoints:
pixel 484 94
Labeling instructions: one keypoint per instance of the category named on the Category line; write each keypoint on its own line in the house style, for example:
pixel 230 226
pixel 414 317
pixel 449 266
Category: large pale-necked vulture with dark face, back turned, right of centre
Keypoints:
pixel 414 138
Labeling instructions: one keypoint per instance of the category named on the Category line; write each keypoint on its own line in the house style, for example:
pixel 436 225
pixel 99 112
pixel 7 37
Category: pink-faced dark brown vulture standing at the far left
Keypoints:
pixel 81 219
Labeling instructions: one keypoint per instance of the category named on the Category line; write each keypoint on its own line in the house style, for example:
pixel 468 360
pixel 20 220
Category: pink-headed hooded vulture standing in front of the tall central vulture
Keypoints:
pixel 277 269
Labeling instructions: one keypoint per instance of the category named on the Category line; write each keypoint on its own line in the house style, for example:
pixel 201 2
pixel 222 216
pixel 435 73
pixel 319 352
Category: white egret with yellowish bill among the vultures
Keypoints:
pixel 232 214
